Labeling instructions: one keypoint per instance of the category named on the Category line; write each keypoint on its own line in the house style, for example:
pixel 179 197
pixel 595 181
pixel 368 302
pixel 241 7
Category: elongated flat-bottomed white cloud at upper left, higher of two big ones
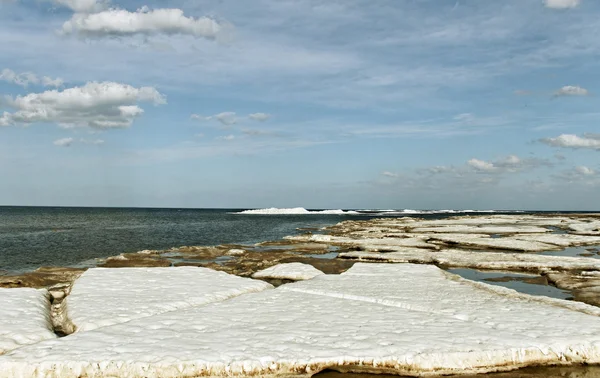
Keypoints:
pixel 120 22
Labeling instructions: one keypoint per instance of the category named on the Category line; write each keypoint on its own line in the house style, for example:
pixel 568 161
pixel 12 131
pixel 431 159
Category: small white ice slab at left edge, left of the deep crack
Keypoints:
pixel 24 318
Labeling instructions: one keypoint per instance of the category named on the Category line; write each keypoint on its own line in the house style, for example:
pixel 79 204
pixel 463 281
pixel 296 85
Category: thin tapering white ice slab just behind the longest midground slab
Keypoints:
pixel 505 243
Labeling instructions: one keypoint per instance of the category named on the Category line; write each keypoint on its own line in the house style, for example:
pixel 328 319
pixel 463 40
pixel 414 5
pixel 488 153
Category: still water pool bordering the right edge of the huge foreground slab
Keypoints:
pixel 524 283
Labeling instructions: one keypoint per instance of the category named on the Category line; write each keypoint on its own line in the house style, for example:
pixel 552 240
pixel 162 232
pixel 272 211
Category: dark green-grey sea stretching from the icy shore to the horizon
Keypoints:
pixel 31 237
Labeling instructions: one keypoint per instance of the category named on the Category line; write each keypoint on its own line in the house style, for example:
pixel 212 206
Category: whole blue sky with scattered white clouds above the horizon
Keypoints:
pixel 418 104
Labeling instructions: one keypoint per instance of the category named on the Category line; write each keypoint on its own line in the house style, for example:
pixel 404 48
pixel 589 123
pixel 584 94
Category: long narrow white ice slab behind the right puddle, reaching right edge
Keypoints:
pixel 480 260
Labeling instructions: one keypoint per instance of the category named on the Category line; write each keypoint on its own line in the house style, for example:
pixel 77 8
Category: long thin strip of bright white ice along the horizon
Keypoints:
pixel 303 211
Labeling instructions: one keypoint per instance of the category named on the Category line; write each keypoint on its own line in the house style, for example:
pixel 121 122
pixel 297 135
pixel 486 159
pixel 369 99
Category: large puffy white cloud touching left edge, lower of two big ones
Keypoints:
pixel 103 105
